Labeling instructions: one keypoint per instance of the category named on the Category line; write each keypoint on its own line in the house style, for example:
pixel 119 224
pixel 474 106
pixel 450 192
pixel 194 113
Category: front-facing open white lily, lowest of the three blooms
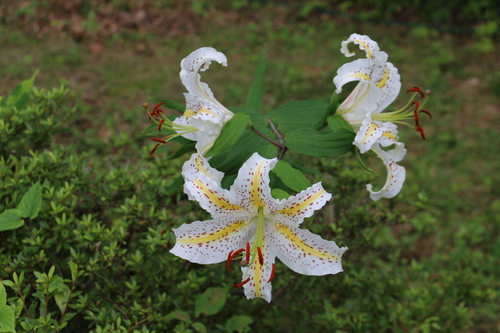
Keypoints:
pixel 250 224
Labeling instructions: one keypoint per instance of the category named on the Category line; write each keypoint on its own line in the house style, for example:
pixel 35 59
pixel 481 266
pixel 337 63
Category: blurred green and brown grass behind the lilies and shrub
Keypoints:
pixel 442 253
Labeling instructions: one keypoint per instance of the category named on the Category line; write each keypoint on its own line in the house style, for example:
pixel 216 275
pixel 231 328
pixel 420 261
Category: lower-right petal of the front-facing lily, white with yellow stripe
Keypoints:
pixel 303 251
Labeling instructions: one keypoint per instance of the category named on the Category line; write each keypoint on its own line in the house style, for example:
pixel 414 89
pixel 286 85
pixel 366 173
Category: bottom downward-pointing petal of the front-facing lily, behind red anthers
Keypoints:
pixel 259 275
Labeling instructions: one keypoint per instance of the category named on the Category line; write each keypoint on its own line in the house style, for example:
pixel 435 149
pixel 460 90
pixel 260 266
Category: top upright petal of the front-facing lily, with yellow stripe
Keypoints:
pixel 251 187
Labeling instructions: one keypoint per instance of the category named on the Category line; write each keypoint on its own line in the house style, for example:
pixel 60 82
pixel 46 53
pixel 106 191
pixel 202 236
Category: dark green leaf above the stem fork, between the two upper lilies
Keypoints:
pixel 298 115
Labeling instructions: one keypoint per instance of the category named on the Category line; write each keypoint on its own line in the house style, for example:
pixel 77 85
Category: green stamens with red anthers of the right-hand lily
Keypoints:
pixel 410 111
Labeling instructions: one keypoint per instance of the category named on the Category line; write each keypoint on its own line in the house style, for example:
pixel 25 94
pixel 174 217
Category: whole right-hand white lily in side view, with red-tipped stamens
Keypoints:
pixel 379 85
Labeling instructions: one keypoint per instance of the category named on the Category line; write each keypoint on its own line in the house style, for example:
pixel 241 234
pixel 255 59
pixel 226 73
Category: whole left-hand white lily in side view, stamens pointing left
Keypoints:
pixel 204 116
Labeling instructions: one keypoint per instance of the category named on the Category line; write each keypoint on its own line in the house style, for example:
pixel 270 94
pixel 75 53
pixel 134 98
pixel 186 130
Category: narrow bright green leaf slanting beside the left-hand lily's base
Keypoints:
pixel 229 134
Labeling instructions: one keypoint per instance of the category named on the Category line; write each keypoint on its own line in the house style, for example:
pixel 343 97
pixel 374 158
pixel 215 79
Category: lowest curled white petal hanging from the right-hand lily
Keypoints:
pixel 395 173
